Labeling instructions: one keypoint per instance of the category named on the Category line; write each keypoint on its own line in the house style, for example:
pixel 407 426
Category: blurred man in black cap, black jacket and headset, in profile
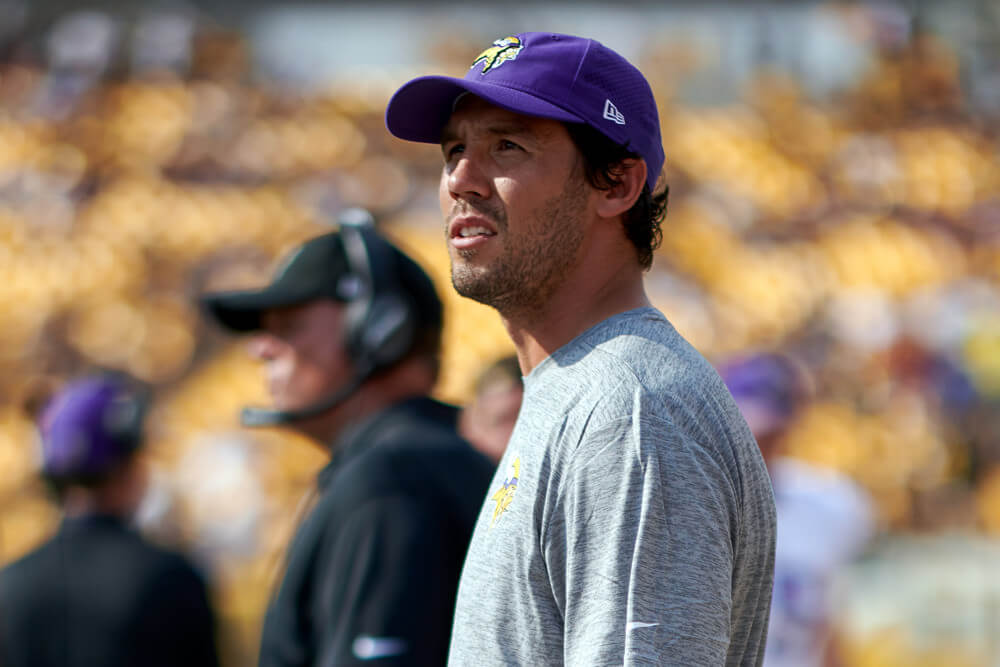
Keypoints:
pixel 349 331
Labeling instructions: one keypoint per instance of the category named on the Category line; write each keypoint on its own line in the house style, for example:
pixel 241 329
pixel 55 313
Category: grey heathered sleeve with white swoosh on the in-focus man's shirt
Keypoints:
pixel 639 549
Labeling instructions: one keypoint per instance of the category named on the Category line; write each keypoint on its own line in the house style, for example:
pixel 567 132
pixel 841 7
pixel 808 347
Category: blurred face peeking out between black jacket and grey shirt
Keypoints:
pixel 488 421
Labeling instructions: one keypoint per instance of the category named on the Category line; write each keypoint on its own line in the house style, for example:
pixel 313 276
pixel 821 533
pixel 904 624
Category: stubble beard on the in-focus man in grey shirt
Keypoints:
pixel 534 263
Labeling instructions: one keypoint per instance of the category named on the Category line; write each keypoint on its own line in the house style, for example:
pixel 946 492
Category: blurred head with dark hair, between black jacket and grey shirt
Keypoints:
pixel 488 419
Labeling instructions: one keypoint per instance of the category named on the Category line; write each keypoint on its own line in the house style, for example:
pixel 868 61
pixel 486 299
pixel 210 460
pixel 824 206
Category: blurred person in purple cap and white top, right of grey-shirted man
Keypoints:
pixel 824 519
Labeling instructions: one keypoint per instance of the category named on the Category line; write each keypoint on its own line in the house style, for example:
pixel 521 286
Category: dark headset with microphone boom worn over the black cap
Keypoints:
pixel 381 318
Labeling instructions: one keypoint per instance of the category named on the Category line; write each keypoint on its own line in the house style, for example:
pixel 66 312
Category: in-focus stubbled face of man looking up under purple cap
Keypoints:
pixel 515 204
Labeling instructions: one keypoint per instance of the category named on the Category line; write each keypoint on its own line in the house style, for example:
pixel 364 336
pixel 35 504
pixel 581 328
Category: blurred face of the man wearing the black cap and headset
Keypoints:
pixel 302 348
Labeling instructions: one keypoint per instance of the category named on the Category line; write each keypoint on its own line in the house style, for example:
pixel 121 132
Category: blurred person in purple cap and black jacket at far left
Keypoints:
pixel 98 593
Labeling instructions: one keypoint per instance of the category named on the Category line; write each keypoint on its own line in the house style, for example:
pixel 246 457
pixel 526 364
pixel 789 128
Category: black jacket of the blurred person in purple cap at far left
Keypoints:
pixel 98 594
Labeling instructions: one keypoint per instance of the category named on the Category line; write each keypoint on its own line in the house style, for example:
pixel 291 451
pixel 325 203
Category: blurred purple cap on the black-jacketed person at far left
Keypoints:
pixel 88 428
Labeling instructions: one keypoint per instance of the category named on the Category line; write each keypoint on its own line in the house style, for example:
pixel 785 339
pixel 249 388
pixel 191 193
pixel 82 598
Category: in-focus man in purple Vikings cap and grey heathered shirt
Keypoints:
pixel 631 519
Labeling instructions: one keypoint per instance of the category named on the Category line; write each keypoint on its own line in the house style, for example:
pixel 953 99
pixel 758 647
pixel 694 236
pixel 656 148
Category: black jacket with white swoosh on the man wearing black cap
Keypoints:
pixel 372 572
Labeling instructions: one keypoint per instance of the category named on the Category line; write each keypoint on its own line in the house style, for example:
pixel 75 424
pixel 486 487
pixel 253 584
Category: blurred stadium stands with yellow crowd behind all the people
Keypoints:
pixel 853 221
